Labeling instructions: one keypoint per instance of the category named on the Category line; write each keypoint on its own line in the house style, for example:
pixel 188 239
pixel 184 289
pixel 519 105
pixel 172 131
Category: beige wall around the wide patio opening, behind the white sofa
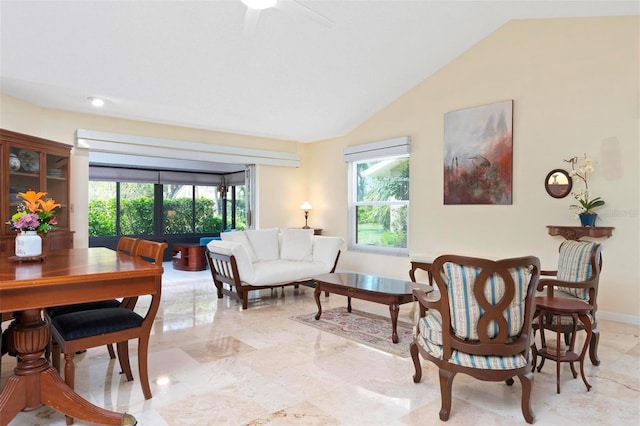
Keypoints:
pixel 284 184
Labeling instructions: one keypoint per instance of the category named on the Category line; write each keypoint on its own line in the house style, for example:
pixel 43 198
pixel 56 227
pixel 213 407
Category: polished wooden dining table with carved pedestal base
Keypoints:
pixel 63 277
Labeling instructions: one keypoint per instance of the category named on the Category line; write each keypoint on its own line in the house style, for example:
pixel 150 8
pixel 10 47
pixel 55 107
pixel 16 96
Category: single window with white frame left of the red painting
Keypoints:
pixel 379 205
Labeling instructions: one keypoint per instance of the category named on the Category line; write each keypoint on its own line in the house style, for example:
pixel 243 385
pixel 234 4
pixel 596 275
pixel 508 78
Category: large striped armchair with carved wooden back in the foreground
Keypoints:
pixel 480 325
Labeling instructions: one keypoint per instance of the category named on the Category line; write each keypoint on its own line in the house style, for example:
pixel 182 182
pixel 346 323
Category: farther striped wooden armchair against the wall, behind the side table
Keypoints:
pixel 577 276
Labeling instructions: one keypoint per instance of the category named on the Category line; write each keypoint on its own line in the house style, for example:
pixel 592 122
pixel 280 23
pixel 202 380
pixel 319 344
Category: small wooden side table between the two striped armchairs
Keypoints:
pixel 560 306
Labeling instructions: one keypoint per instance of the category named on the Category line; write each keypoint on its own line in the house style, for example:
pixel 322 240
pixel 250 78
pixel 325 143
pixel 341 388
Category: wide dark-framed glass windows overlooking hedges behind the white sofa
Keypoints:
pixel 163 205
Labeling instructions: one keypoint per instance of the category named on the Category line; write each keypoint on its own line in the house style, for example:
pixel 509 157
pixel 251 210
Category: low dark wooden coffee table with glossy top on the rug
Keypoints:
pixel 371 288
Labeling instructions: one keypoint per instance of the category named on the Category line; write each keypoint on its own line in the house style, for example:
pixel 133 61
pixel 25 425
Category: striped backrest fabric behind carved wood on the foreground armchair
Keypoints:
pixel 465 310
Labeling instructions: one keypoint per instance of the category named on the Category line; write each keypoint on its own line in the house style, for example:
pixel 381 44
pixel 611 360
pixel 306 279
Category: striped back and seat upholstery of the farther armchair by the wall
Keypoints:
pixel 574 265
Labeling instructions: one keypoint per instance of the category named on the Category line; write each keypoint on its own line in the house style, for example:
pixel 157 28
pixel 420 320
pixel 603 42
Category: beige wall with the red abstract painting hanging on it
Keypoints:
pixel 574 83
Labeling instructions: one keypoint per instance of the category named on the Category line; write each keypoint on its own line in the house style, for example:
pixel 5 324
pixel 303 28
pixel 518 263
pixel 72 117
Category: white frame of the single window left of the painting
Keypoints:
pixel 353 203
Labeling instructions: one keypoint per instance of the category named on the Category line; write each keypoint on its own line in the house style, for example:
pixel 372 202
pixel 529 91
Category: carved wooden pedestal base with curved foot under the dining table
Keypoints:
pixel 35 382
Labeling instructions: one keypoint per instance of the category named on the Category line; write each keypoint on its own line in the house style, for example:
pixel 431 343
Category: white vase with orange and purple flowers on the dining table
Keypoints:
pixel 35 214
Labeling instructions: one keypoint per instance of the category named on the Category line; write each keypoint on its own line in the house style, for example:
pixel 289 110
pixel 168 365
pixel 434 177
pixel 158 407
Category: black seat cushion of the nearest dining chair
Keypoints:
pixel 77 325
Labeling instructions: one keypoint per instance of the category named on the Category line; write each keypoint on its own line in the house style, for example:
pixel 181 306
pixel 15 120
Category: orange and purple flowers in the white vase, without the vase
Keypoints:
pixel 35 213
